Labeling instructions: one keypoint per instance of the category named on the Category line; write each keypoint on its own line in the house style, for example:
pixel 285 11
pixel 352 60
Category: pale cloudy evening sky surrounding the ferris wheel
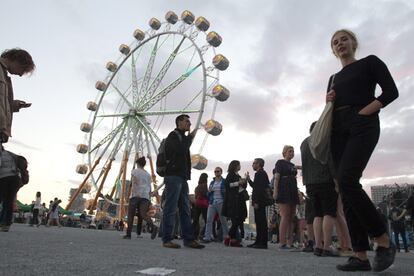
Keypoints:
pixel 280 62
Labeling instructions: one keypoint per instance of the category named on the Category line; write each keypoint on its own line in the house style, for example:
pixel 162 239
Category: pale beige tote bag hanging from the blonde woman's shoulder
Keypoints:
pixel 320 138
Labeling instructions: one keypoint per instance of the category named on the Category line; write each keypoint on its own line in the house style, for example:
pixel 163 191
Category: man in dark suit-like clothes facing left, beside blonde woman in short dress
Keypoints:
pixel 259 185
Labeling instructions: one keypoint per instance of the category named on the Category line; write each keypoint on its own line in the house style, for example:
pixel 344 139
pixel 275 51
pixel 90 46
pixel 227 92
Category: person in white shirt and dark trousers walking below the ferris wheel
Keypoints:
pixel 140 198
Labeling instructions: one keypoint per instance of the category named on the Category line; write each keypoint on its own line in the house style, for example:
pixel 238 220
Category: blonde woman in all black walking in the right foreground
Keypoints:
pixel 355 133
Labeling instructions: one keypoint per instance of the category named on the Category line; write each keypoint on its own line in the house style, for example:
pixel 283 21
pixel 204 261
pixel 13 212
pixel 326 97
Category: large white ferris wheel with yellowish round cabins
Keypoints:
pixel 170 69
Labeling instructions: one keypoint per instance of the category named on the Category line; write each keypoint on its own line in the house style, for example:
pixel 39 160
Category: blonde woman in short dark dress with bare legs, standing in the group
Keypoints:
pixel 286 195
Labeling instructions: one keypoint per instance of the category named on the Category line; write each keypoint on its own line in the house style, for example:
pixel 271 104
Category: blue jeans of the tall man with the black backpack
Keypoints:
pixel 176 194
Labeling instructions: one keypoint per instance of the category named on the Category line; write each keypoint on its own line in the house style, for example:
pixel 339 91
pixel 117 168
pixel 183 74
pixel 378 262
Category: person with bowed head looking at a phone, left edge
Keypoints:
pixel 15 62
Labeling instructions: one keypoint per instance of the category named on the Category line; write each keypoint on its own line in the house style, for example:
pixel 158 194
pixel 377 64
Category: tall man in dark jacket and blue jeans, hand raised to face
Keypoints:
pixel 178 171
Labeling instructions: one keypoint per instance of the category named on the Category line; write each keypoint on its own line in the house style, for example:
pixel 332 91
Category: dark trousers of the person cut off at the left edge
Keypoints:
pixel 8 190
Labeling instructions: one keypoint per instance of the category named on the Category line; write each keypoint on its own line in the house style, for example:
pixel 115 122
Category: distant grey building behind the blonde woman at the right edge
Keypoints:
pixel 397 191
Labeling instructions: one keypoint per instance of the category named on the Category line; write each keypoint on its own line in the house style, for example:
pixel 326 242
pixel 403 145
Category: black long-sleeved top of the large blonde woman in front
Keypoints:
pixel 355 84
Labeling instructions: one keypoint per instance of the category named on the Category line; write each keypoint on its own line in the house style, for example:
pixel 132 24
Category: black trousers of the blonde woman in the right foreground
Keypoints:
pixel 353 140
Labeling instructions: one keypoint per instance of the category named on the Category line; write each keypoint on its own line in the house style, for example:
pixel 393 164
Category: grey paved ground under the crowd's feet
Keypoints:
pixel 69 251
